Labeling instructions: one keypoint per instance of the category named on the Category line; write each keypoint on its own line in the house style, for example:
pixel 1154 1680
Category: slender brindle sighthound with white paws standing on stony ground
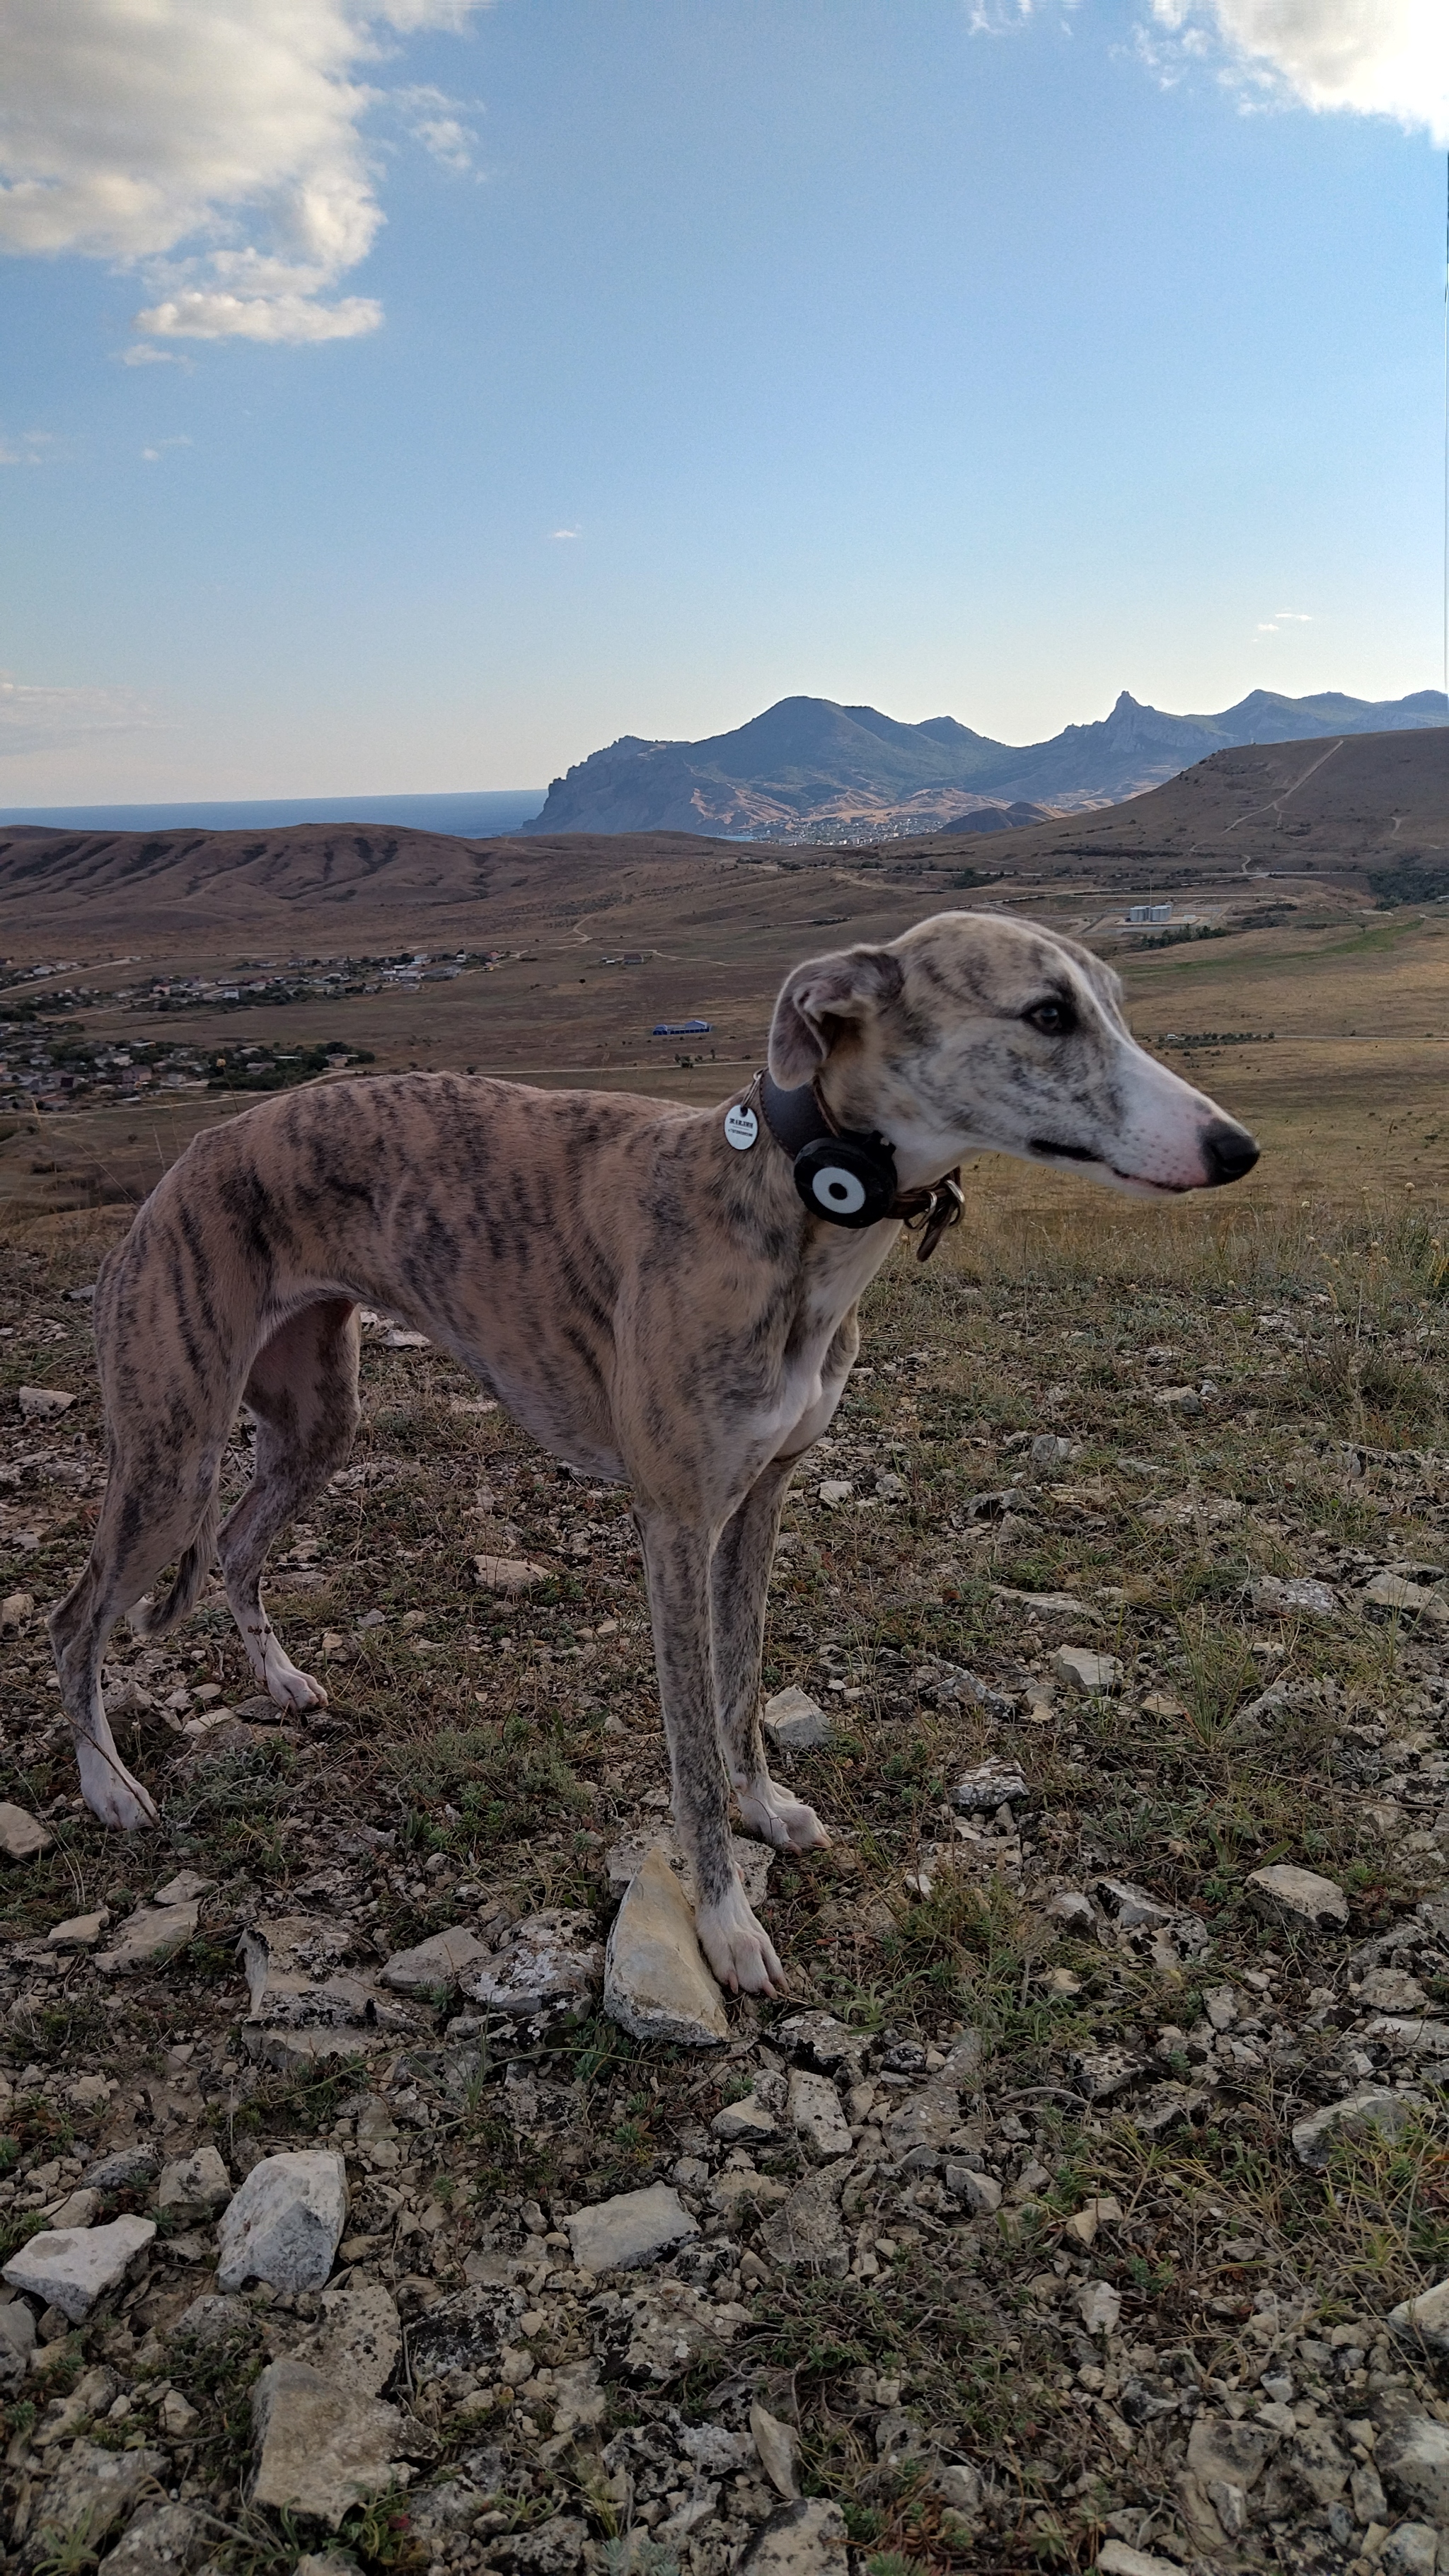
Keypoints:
pixel 648 1289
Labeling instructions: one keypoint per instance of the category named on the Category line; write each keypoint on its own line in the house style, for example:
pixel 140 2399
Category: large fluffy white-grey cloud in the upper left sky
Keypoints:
pixel 215 148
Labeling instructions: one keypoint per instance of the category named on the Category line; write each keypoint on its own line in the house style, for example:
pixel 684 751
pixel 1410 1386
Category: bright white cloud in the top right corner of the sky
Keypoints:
pixel 1370 58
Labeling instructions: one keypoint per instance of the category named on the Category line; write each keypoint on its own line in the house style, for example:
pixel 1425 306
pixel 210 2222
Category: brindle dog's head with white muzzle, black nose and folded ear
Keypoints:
pixel 978 1032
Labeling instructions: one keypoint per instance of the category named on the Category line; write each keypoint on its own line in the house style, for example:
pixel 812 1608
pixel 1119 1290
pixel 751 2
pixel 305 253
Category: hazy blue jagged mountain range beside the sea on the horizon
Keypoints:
pixel 844 774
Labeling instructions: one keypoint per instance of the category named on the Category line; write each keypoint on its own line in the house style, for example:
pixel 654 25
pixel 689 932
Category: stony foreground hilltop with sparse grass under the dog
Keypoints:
pixel 1074 2204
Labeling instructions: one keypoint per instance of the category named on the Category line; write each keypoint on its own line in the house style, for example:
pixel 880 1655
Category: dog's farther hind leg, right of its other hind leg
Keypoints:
pixel 306 1400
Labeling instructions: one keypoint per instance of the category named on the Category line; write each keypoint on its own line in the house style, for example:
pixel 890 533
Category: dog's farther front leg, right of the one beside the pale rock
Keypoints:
pixel 739 1598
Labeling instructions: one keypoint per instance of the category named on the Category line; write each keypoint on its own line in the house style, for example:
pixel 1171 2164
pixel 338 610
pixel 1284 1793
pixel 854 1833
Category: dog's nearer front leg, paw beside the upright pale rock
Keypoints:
pixel 677 1562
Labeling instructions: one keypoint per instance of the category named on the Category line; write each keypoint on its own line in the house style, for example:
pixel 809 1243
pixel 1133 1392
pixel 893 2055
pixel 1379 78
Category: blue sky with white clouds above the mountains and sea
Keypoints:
pixel 416 395
